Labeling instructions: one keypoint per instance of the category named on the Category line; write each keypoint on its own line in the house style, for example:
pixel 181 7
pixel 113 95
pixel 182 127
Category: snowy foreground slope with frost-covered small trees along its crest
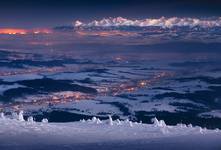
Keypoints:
pixel 16 133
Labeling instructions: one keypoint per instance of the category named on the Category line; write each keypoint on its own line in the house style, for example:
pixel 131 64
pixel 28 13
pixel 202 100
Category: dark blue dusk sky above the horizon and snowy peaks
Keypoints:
pixel 50 13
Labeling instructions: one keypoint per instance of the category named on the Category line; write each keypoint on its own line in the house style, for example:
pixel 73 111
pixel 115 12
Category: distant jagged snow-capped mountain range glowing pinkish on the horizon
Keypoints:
pixel 174 23
